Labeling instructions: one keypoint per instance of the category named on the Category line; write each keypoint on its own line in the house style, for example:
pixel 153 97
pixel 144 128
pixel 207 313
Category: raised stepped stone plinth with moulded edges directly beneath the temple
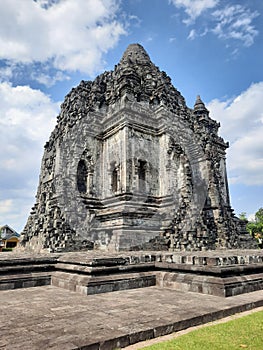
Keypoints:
pixel 220 273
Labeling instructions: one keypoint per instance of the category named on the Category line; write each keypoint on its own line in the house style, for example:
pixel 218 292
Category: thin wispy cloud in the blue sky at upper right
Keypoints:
pixel 235 22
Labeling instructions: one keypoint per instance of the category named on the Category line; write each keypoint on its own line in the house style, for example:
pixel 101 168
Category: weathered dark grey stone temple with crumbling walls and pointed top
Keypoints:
pixel 130 167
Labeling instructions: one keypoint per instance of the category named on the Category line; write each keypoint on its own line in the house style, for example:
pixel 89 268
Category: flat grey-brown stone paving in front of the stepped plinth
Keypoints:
pixel 54 318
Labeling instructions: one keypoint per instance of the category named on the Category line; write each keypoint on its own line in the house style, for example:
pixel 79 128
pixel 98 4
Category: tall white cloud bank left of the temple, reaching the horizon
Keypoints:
pixel 27 117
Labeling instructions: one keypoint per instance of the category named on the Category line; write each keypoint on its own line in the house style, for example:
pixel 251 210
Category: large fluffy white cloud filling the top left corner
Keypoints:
pixel 71 34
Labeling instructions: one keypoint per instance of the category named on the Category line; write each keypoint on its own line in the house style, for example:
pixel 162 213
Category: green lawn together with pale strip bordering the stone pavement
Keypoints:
pixel 211 335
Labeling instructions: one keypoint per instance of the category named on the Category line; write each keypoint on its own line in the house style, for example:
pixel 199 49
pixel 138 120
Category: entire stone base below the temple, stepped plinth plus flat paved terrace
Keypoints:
pixel 154 295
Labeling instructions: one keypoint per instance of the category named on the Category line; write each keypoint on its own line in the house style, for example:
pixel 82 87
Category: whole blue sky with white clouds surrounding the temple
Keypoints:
pixel 209 47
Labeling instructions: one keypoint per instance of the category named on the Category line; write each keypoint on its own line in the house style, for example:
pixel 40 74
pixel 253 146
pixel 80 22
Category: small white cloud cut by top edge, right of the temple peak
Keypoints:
pixel 194 8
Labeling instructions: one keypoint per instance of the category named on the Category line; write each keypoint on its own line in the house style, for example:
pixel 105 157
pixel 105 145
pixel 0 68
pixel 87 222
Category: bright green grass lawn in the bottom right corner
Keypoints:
pixel 242 333
